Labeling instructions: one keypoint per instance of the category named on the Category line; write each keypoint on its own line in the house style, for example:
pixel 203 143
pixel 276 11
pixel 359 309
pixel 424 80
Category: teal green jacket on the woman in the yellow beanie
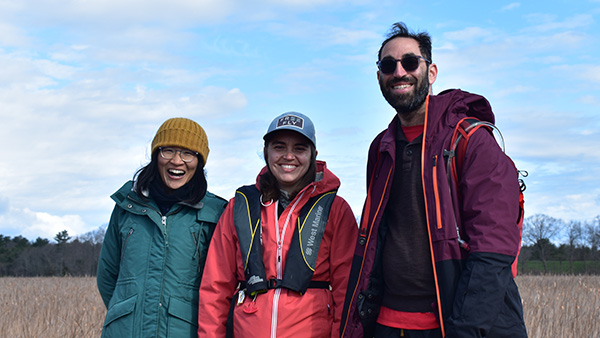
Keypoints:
pixel 150 265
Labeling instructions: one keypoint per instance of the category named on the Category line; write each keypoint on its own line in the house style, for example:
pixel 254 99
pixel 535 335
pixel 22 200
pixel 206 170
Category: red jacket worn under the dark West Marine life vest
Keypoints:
pixel 279 312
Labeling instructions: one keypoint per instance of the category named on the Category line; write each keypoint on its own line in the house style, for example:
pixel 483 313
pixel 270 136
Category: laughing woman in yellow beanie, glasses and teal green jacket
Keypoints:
pixel 155 246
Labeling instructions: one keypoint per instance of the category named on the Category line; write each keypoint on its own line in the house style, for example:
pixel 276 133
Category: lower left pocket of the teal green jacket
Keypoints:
pixel 119 318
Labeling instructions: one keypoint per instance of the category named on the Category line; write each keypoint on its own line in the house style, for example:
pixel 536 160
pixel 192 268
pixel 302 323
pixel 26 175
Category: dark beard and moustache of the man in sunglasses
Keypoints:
pixel 405 104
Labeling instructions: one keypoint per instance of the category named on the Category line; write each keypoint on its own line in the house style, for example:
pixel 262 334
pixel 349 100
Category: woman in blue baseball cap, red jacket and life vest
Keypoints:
pixel 279 262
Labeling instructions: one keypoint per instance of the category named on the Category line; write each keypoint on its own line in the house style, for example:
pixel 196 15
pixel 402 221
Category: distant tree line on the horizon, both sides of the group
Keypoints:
pixel 574 244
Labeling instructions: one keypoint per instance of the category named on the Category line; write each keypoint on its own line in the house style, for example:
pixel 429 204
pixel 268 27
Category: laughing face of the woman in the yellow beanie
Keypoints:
pixel 174 172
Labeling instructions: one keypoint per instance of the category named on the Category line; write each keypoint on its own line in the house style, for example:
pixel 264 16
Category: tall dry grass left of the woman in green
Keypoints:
pixel 52 307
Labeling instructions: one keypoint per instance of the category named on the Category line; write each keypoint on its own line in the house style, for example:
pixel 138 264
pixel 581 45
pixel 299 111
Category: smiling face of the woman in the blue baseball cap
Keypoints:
pixel 288 158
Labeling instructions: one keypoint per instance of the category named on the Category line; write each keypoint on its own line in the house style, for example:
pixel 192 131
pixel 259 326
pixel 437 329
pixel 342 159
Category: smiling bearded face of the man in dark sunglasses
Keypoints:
pixel 406 91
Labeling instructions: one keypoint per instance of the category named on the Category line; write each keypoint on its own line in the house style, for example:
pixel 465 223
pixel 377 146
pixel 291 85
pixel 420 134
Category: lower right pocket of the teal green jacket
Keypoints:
pixel 183 318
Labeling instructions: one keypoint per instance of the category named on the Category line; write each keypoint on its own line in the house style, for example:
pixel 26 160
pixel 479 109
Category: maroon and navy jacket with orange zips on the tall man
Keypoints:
pixel 476 293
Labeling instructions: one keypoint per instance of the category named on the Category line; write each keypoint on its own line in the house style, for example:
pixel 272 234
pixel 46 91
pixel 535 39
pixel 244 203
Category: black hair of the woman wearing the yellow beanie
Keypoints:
pixel 146 176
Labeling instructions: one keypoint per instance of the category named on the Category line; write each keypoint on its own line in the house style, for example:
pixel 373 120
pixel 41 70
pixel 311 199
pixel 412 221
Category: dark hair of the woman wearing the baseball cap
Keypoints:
pixel 268 185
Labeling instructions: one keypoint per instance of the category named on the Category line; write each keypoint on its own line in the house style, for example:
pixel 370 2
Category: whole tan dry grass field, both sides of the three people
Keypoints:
pixel 555 306
